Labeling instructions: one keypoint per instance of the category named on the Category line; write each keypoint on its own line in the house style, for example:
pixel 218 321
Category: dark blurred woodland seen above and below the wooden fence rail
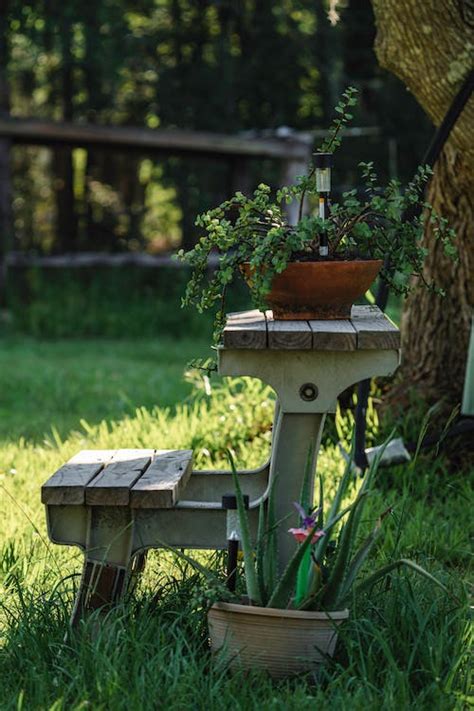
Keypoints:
pixel 199 64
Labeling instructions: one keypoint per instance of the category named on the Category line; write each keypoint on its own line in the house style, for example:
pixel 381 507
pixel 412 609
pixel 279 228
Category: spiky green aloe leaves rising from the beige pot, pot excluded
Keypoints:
pixel 324 571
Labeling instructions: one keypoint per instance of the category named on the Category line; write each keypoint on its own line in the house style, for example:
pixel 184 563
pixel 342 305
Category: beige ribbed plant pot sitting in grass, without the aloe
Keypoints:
pixel 281 642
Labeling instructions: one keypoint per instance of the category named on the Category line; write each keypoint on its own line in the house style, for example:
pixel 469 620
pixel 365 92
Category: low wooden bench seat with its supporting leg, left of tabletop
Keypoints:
pixel 97 492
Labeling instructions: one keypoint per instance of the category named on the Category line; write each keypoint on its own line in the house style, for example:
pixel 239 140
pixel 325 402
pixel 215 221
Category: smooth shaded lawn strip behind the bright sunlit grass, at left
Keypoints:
pixel 45 384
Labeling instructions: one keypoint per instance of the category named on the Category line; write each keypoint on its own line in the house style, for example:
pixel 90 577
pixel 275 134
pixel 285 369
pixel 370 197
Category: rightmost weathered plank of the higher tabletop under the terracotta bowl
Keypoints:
pixel 374 329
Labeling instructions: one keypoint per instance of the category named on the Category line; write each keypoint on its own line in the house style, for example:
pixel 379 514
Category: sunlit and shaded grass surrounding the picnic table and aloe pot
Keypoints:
pixel 405 646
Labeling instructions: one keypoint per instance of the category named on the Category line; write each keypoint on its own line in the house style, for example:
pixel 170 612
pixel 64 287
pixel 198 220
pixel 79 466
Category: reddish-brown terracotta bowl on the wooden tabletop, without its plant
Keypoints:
pixel 318 290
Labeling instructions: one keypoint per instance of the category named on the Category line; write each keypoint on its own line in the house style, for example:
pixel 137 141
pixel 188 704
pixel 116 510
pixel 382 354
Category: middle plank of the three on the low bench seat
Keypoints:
pixel 112 486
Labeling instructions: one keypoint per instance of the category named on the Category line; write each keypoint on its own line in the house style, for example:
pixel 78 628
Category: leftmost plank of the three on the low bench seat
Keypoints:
pixel 67 485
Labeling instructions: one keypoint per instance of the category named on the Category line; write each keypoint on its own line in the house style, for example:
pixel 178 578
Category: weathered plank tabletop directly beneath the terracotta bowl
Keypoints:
pixel 367 329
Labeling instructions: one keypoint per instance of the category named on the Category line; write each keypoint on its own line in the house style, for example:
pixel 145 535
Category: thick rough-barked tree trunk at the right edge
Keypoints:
pixel 427 44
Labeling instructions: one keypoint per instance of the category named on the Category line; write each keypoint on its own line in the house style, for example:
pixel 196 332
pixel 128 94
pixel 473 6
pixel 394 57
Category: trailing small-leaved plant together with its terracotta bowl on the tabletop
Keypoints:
pixel 318 267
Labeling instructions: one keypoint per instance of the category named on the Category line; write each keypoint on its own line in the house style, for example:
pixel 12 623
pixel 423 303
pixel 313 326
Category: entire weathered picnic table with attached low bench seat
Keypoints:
pixel 117 504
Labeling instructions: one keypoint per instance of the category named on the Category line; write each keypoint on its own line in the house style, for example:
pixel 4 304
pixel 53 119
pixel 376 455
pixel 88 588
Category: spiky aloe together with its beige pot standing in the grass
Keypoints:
pixel 287 623
